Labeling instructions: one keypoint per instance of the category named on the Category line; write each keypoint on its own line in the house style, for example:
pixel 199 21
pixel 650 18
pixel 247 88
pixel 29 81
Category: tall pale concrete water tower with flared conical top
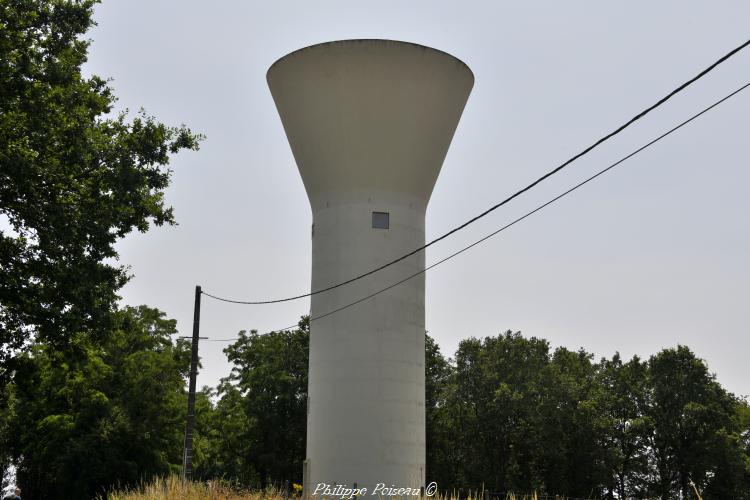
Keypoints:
pixel 369 123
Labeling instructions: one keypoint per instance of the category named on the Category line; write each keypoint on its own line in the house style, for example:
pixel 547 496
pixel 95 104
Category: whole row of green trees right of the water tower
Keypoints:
pixel 509 415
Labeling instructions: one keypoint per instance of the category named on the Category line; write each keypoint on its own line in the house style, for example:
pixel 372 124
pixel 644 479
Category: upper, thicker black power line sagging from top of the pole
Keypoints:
pixel 505 201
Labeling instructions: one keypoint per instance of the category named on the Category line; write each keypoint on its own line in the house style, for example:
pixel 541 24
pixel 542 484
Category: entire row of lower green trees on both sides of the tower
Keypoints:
pixel 508 413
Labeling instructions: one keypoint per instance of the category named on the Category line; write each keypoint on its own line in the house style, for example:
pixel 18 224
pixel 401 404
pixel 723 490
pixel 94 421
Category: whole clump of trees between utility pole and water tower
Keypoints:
pixel 259 422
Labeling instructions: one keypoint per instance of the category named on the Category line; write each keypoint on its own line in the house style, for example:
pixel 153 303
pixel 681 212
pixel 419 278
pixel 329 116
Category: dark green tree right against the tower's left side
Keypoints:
pixel 270 371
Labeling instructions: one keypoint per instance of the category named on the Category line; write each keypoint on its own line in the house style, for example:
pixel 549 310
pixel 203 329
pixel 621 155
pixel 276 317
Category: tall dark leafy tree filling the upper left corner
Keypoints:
pixel 73 179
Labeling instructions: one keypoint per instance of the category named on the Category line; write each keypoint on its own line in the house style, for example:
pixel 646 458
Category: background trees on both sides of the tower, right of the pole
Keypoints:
pixel 507 414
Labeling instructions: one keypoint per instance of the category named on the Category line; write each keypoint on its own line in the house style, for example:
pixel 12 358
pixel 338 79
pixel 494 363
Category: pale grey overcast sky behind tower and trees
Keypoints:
pixel 652 255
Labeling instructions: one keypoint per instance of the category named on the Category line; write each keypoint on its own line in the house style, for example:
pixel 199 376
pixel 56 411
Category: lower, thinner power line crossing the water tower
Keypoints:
pixel 526 215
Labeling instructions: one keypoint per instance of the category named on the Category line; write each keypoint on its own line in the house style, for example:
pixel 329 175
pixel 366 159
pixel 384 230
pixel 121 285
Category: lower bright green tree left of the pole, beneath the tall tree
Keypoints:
pixel 110 414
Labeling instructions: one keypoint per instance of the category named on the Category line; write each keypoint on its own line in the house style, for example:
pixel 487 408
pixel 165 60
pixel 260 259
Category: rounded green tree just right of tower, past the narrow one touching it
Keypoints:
pixel 497 390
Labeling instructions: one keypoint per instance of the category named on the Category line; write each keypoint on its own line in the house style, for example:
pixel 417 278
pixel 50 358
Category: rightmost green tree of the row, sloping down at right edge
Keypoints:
pixel 697 436
